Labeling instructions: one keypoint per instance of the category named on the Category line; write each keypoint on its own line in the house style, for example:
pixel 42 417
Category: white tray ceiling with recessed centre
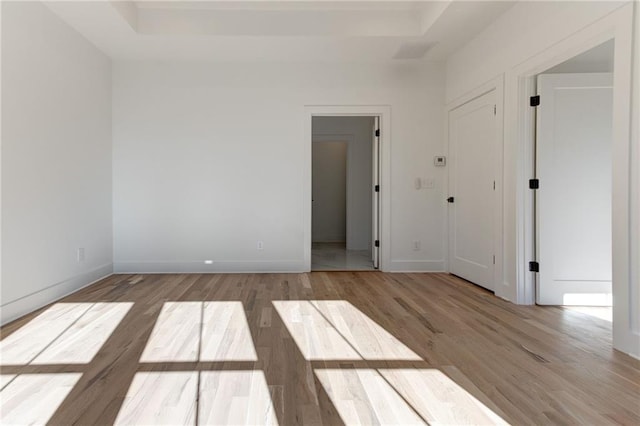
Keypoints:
pixel 295 31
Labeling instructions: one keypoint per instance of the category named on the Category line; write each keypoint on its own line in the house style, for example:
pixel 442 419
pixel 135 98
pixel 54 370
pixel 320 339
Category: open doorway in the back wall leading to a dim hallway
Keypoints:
pixel 344 174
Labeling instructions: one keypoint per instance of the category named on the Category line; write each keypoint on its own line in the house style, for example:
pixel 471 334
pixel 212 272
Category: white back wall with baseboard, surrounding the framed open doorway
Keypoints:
pixel 209 159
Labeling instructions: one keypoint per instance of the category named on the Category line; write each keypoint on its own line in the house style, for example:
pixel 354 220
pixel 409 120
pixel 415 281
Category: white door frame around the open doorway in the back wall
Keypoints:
pixel 382 111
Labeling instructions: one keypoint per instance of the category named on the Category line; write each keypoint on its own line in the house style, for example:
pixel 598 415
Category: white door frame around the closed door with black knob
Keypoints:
pixel 497 85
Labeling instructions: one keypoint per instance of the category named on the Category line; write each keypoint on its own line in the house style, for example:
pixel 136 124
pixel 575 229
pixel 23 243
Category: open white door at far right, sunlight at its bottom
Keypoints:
pixel 574 139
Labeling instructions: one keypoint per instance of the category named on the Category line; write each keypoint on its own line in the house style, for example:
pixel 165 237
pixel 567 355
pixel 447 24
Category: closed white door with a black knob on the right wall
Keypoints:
pixel 472 144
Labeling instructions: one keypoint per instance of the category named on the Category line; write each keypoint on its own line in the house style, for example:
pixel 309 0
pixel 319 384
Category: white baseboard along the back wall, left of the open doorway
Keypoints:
pixel 199 267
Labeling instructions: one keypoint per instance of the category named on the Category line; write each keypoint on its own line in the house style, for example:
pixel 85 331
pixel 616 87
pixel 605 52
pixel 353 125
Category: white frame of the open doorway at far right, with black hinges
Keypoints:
pixel 521 79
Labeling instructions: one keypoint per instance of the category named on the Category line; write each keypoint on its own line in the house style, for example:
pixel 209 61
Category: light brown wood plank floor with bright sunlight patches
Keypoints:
pixel 319 348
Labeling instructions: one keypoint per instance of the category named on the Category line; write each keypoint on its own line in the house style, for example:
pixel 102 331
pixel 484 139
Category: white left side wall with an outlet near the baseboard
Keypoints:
pixel 56 159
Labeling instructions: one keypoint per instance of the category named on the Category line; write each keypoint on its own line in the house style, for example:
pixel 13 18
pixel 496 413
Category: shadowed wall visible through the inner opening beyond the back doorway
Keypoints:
pixel 329 192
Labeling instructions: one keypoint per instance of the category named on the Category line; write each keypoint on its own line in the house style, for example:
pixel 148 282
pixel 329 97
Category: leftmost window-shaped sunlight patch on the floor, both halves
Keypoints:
pixel 64 334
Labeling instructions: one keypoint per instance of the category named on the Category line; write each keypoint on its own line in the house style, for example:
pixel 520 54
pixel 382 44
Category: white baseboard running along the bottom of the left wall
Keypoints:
pixel 29 303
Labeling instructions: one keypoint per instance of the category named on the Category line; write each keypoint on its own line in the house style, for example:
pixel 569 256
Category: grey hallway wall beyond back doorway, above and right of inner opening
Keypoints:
pixel 360 163
